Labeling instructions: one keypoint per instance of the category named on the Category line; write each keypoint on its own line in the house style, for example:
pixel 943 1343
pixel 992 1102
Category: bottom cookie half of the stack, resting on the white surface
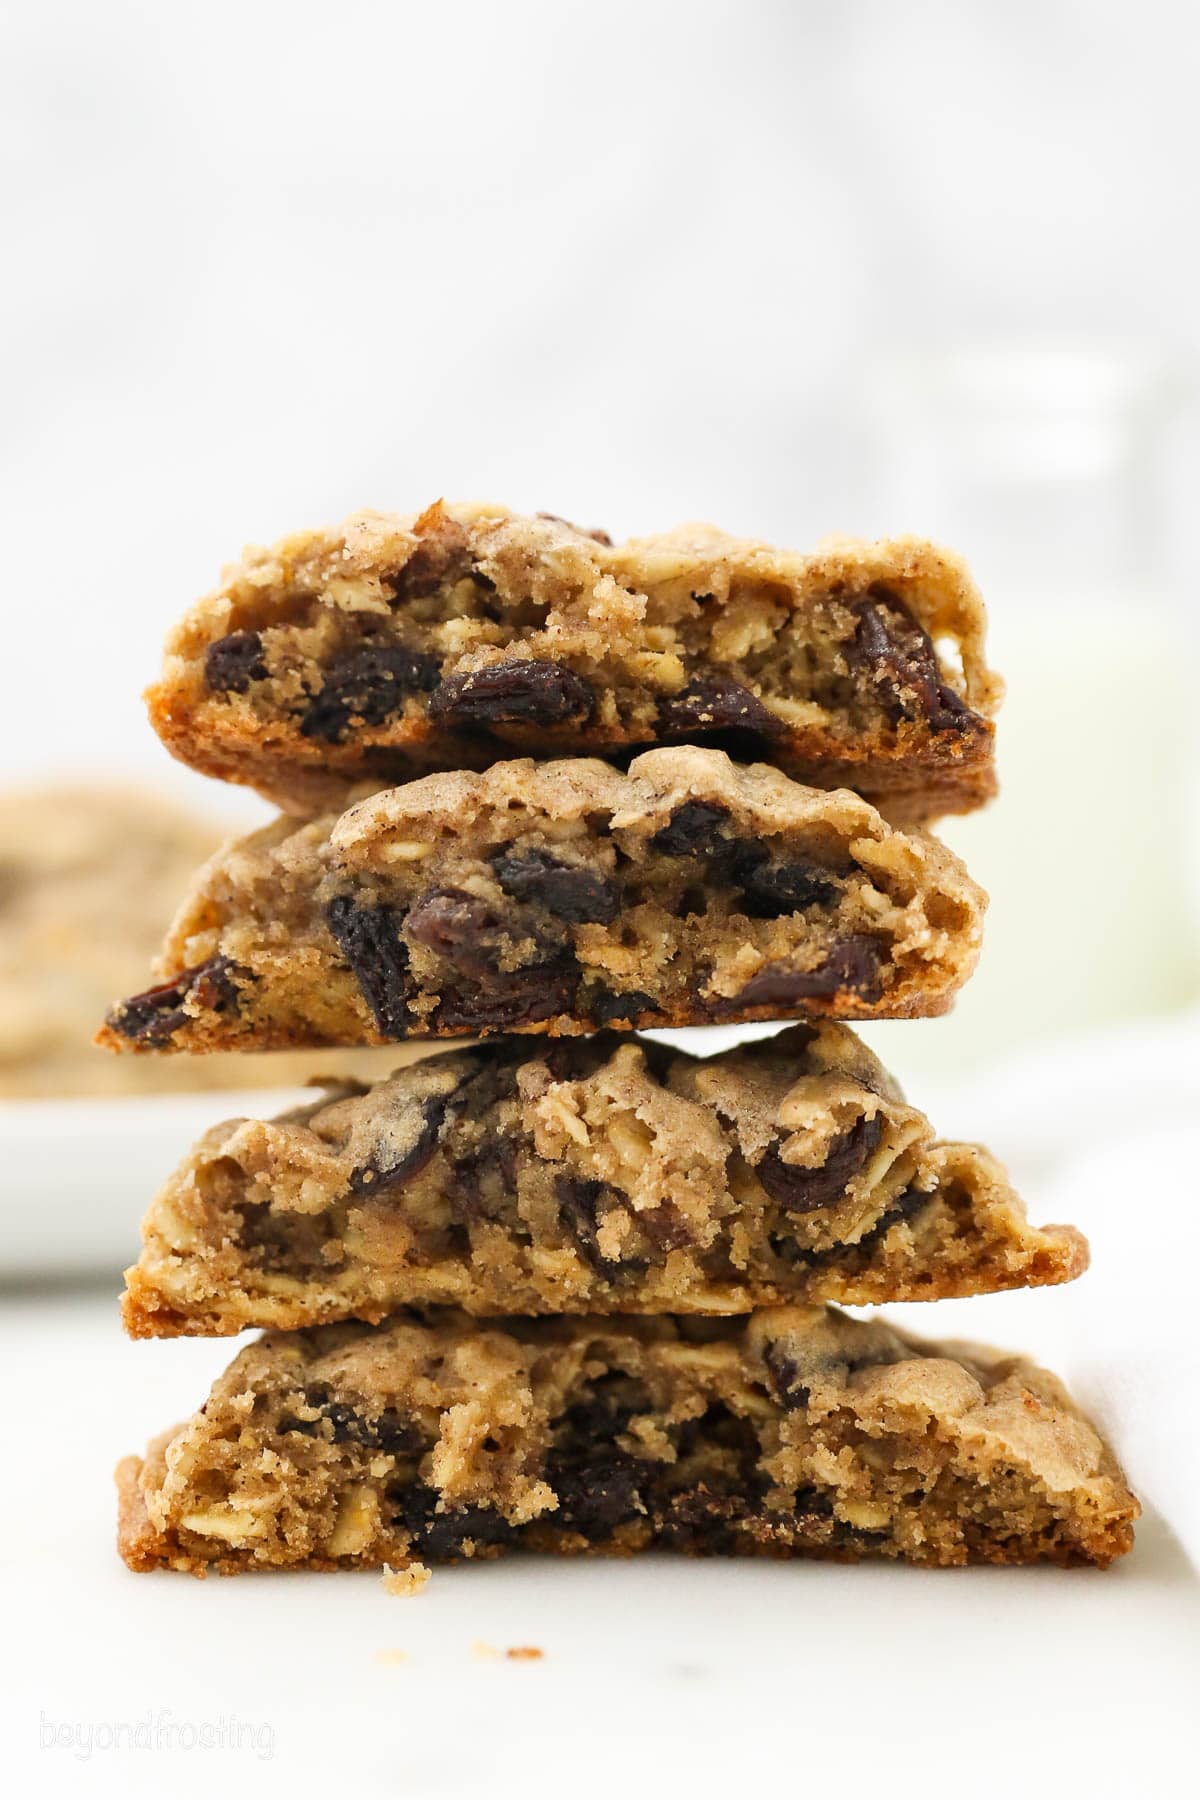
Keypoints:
pixel 794 1434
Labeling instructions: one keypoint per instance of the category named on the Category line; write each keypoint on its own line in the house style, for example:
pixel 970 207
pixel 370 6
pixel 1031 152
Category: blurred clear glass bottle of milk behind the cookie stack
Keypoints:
pixel 1050 471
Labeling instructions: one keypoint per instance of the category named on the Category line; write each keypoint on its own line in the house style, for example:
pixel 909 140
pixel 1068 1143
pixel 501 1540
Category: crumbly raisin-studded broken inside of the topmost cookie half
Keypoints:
pixel 850 663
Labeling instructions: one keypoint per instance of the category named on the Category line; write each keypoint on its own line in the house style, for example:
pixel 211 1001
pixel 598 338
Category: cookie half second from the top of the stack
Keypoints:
pixel 562 897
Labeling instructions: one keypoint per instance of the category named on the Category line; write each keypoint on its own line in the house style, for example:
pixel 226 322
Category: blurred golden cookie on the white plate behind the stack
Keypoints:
pixel 89 881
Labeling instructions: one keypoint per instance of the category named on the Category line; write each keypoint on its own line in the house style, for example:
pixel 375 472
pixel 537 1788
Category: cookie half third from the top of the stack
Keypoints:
pixel 587 1176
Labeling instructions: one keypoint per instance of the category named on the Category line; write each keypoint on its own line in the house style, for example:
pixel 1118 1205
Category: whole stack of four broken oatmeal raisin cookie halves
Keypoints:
pixel 559 1286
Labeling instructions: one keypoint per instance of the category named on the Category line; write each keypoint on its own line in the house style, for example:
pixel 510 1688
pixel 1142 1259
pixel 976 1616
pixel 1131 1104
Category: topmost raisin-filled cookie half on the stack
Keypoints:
pixel 397 645
